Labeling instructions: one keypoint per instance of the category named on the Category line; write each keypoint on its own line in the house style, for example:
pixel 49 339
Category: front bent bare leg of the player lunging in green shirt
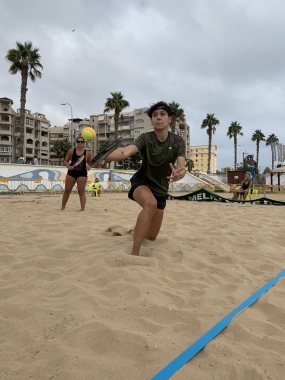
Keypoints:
pixel 144 197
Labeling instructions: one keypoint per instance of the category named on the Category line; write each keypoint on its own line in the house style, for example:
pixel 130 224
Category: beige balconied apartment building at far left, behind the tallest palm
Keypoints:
pixel 36 134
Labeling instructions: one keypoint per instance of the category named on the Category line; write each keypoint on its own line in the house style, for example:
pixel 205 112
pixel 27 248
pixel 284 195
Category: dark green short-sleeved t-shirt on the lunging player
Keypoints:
pixel 156 159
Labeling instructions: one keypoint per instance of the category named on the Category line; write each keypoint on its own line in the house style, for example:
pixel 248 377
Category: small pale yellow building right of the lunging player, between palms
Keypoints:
pixel 199 155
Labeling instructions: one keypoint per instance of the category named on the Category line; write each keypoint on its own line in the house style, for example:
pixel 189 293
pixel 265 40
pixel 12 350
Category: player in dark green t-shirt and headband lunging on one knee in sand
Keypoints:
pixel 160 149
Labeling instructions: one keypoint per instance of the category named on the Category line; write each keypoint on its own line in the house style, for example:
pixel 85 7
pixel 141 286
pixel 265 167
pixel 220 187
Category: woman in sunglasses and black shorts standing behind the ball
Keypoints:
pixel 76 174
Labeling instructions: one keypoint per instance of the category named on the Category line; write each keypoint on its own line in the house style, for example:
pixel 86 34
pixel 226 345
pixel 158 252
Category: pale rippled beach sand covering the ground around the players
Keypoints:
pixel 75 305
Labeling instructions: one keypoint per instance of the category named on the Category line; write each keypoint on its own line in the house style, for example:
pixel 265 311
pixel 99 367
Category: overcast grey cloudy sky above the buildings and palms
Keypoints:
pixel 211 56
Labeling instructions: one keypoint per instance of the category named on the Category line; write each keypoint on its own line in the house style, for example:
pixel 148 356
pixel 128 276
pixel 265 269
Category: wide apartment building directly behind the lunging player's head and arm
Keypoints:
pixel 131 125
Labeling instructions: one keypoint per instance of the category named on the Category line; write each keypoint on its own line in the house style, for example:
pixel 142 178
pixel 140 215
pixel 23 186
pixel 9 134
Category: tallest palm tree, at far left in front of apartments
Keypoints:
pixel 26 59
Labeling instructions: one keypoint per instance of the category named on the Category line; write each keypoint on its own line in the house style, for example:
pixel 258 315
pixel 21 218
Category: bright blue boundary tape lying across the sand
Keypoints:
pixel 188 354
